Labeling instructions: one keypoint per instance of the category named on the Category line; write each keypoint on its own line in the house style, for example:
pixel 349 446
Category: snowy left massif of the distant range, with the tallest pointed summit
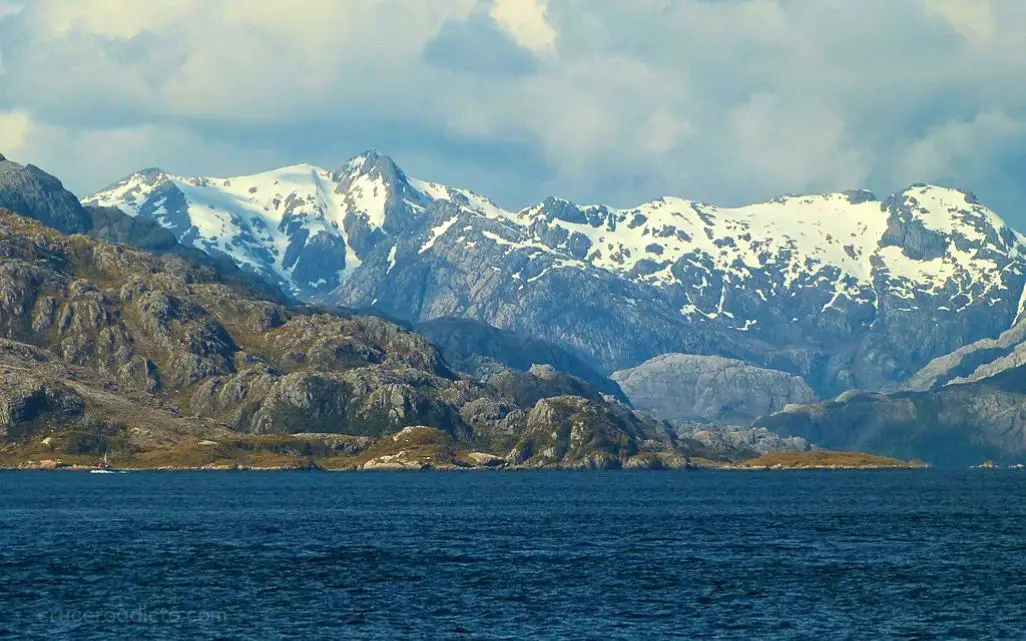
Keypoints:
pixel 302 227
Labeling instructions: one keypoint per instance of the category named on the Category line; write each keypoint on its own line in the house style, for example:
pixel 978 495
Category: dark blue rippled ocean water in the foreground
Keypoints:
pixel 548 555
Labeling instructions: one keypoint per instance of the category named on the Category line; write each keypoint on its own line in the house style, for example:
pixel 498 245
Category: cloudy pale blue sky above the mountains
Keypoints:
pixel 597 101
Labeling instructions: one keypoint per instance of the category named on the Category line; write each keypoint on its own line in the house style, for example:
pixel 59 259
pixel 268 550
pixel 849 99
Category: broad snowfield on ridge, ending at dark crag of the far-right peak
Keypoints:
pixel 828 229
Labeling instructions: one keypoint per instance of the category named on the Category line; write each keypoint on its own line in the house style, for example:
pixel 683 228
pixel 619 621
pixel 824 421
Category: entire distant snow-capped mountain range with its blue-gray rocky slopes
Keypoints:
pixel 841 289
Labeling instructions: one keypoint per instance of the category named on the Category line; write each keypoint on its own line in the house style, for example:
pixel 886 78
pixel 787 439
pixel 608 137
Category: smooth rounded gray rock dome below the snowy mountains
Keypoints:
pixel 711 389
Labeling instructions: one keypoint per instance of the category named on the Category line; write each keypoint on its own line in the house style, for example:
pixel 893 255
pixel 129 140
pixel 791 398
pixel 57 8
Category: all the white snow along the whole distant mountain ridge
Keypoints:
pixel 835 238
